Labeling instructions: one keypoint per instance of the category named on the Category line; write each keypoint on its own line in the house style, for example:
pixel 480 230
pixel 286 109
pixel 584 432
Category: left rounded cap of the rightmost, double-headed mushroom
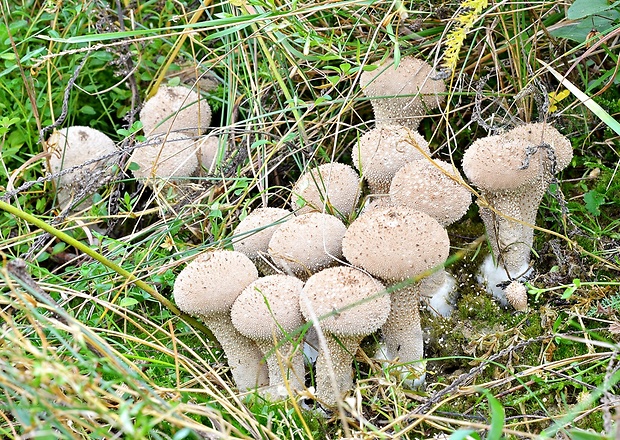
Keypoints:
pixel 495 164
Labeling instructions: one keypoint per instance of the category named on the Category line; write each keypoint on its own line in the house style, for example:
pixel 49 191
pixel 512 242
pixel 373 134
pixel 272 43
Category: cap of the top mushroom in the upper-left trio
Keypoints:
pixel 175 109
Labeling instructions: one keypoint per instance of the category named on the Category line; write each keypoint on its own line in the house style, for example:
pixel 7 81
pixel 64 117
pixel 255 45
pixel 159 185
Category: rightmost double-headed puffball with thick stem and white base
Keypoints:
pixel 513 171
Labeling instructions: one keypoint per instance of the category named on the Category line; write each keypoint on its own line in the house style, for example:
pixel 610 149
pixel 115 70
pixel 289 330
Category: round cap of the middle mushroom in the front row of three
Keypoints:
pixel 268 305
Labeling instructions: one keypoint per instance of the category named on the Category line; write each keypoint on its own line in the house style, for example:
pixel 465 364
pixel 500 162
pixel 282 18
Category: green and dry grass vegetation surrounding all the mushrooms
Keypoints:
pixel 92 345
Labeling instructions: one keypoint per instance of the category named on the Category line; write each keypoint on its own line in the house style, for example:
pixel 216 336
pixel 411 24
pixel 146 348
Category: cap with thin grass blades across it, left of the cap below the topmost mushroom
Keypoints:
pixel 331 185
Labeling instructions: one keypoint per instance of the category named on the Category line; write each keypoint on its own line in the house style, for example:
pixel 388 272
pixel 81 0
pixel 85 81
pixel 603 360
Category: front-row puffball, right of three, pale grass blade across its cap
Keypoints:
pixel 328 294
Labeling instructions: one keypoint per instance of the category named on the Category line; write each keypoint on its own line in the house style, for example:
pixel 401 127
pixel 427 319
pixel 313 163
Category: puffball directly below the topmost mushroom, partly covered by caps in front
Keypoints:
pixel 384 150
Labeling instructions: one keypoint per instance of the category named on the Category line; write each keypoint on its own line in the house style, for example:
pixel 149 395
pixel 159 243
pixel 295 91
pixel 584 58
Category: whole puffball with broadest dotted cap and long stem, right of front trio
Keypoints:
pixel 396 244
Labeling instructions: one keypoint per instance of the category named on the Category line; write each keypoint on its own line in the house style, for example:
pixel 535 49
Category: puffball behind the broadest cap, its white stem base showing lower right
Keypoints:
pixel 436 188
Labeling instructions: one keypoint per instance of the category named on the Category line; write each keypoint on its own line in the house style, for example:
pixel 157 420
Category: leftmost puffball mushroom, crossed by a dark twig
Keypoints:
pixel 72 147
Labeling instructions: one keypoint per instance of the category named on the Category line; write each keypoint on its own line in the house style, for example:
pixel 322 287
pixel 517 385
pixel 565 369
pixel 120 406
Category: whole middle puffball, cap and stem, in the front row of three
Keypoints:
pixel 267 312
